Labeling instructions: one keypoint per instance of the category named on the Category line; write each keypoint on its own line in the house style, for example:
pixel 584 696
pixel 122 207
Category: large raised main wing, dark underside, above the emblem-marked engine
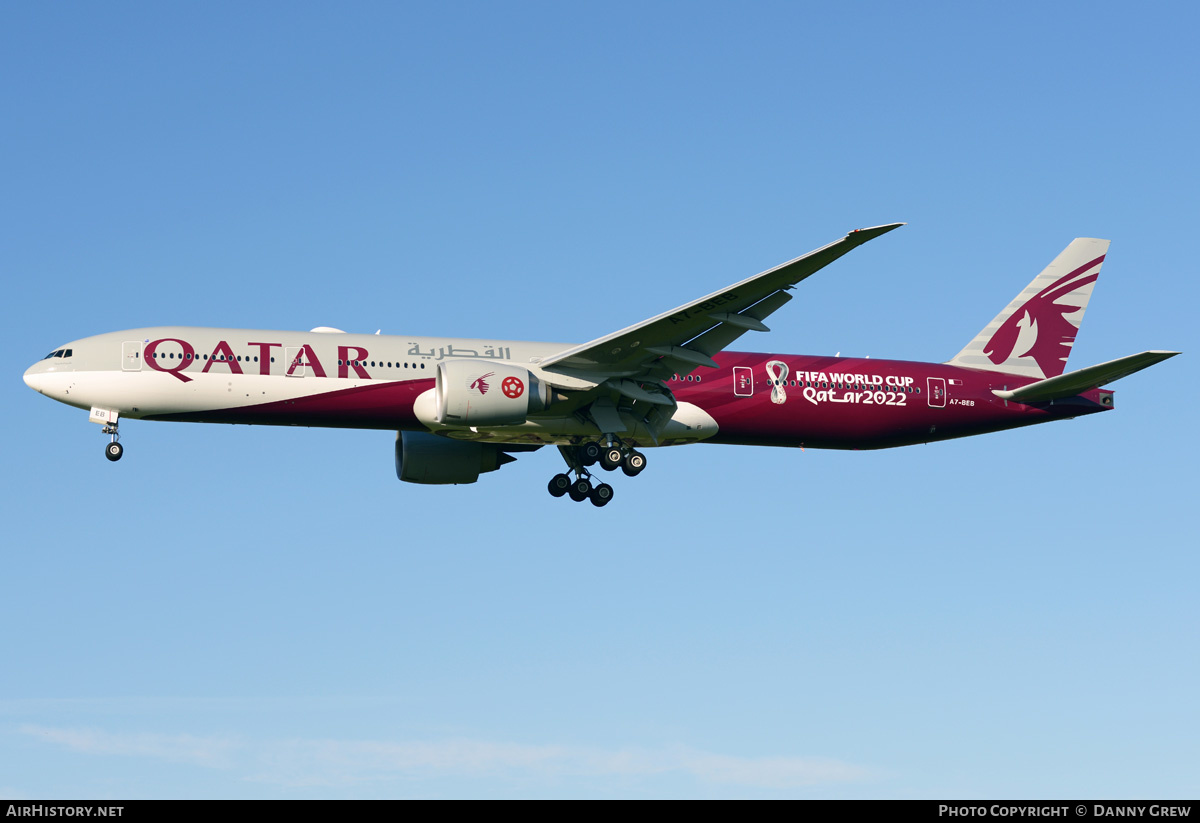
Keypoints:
pixel 634 362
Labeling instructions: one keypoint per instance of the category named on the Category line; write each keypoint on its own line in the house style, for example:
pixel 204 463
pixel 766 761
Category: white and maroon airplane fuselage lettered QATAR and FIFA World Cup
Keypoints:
pixel 337 380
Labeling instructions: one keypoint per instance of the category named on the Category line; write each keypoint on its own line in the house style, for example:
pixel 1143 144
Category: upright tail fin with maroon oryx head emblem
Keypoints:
pixel 1034 335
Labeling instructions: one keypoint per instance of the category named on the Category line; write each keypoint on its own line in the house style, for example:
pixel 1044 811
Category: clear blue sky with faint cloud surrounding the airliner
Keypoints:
pixel 243 612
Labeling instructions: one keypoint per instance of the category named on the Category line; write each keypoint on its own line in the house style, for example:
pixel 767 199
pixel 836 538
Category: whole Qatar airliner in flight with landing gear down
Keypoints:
pixel 466 407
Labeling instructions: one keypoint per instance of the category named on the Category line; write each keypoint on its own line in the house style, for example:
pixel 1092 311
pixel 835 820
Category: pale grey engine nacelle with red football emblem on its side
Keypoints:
pixel 485 393
